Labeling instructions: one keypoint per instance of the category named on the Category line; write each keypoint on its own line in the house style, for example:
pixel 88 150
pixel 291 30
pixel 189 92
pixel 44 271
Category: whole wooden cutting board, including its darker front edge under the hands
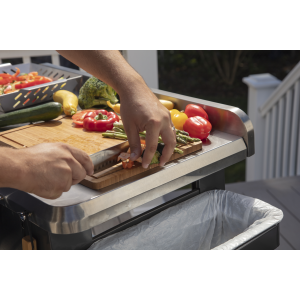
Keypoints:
pixel 64 130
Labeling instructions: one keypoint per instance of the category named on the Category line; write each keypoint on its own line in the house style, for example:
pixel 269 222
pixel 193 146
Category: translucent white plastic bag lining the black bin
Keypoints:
pixel 218 220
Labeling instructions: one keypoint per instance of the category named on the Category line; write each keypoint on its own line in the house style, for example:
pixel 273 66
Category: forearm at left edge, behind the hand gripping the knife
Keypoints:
pixel 10 173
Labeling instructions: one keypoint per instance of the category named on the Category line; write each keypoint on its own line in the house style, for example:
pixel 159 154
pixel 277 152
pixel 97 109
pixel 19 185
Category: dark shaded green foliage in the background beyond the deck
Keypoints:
pixel 195 74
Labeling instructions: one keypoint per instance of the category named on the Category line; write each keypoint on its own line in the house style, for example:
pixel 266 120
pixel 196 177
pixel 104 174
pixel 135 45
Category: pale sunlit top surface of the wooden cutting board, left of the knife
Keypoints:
pixel 62 130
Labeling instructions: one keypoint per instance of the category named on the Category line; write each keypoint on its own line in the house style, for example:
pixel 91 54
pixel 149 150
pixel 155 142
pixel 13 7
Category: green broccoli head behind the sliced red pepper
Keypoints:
pixel 95 92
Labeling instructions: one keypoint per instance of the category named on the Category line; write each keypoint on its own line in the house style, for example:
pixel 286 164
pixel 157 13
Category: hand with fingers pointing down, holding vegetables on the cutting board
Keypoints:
pixel 141 110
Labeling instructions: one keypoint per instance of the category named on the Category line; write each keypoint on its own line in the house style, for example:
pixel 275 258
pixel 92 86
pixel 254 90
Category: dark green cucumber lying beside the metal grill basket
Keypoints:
pixel 44 112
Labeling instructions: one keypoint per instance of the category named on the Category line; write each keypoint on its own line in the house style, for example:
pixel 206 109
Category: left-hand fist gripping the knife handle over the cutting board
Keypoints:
pixel 48 170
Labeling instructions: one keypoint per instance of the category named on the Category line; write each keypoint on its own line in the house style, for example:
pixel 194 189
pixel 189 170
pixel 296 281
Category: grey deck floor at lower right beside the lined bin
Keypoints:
pixel 283 193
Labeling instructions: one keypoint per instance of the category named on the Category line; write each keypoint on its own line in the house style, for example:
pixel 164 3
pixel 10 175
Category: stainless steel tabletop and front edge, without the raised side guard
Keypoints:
pixel 81 208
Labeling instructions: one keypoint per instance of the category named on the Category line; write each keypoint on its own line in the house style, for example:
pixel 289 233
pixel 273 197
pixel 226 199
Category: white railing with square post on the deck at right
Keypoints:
pixel 278 136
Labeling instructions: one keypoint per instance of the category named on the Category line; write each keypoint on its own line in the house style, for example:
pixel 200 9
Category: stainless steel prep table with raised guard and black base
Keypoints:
pixel 67 223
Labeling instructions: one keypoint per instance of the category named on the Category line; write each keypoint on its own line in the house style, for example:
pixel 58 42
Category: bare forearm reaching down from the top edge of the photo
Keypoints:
pixel 107 65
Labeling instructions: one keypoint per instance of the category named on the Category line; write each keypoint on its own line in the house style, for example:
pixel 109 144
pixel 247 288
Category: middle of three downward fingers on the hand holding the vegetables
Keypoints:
pixel 152 134
